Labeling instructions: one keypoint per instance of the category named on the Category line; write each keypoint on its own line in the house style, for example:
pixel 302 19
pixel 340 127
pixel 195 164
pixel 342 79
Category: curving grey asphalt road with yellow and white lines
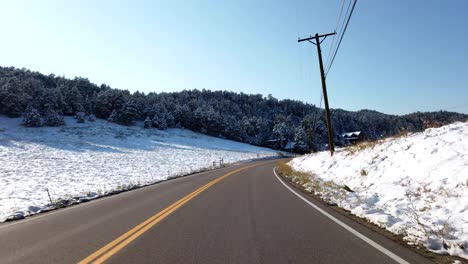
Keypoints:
pixel 239 214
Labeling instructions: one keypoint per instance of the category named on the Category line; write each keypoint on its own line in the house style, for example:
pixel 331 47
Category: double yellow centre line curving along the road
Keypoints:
pixel 116 245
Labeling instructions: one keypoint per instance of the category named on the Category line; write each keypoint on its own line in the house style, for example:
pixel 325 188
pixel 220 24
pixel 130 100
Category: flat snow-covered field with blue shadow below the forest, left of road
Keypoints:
pixel 94 158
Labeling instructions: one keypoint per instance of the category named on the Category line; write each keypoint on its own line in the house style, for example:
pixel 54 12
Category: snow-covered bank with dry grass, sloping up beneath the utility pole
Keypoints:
pixel 416 185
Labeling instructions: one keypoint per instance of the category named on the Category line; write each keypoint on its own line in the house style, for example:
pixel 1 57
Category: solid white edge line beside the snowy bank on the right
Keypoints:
pixel 345 226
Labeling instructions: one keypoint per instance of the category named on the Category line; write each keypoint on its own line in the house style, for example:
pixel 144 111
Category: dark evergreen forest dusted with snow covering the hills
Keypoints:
pixel 43 100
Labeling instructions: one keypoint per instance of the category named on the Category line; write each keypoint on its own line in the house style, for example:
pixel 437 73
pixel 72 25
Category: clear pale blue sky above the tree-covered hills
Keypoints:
pixel 396 57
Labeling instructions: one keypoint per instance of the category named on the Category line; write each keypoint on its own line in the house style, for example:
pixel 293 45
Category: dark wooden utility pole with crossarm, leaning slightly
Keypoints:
pixel 317 42
